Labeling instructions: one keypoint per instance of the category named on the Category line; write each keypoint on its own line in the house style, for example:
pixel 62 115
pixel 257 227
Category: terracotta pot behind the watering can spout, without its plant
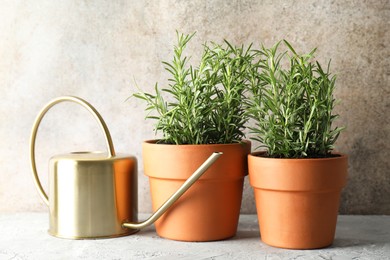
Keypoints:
pixel 210 209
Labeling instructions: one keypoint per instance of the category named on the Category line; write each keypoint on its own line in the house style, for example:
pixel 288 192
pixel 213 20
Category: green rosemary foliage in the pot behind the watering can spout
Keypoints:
pixel 206 103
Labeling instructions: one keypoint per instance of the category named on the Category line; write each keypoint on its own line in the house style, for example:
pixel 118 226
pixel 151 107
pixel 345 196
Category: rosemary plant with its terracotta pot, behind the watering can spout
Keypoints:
pixel 200 111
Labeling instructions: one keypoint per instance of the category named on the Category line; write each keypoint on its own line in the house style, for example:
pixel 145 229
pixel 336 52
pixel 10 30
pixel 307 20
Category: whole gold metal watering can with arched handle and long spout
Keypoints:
pixel 94 194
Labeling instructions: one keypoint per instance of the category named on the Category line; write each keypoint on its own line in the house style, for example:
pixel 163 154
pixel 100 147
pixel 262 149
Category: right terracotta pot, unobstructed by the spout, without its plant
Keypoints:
pixel 297 200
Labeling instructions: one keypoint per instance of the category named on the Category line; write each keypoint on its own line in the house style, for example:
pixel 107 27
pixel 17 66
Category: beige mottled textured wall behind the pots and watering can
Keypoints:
pixel 95 50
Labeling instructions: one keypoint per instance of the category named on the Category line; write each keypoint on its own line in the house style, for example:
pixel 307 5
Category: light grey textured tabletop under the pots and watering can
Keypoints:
pixel 24 236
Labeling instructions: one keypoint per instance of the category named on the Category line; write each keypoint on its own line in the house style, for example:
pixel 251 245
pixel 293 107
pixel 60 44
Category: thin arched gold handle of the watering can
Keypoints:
pixel 38 120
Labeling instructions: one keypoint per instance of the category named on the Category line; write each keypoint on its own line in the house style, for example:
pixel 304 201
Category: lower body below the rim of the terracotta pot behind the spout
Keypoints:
pixel 202 214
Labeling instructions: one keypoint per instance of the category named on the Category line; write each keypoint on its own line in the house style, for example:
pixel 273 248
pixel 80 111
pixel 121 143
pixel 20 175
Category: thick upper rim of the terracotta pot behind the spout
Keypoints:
pixel 234 155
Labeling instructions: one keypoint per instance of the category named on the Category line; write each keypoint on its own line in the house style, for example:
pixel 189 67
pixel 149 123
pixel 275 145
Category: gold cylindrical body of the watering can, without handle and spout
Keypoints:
pixel 92 195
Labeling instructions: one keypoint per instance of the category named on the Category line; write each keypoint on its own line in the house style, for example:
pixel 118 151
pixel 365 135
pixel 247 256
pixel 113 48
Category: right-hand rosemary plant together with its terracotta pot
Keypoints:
pixel 298 179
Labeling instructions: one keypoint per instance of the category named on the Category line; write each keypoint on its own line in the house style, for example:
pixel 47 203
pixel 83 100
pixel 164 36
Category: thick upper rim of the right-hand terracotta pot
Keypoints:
pixel 312 174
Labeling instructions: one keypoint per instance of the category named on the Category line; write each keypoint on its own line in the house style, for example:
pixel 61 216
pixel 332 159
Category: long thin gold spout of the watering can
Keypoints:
pixel 186 185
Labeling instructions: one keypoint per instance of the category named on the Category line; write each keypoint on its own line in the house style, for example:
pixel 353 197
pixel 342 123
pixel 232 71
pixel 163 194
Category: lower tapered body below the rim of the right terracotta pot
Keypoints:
pixel 310 222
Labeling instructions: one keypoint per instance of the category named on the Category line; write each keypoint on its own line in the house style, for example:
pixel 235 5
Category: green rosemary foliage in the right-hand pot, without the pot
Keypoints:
pixel 291 104
